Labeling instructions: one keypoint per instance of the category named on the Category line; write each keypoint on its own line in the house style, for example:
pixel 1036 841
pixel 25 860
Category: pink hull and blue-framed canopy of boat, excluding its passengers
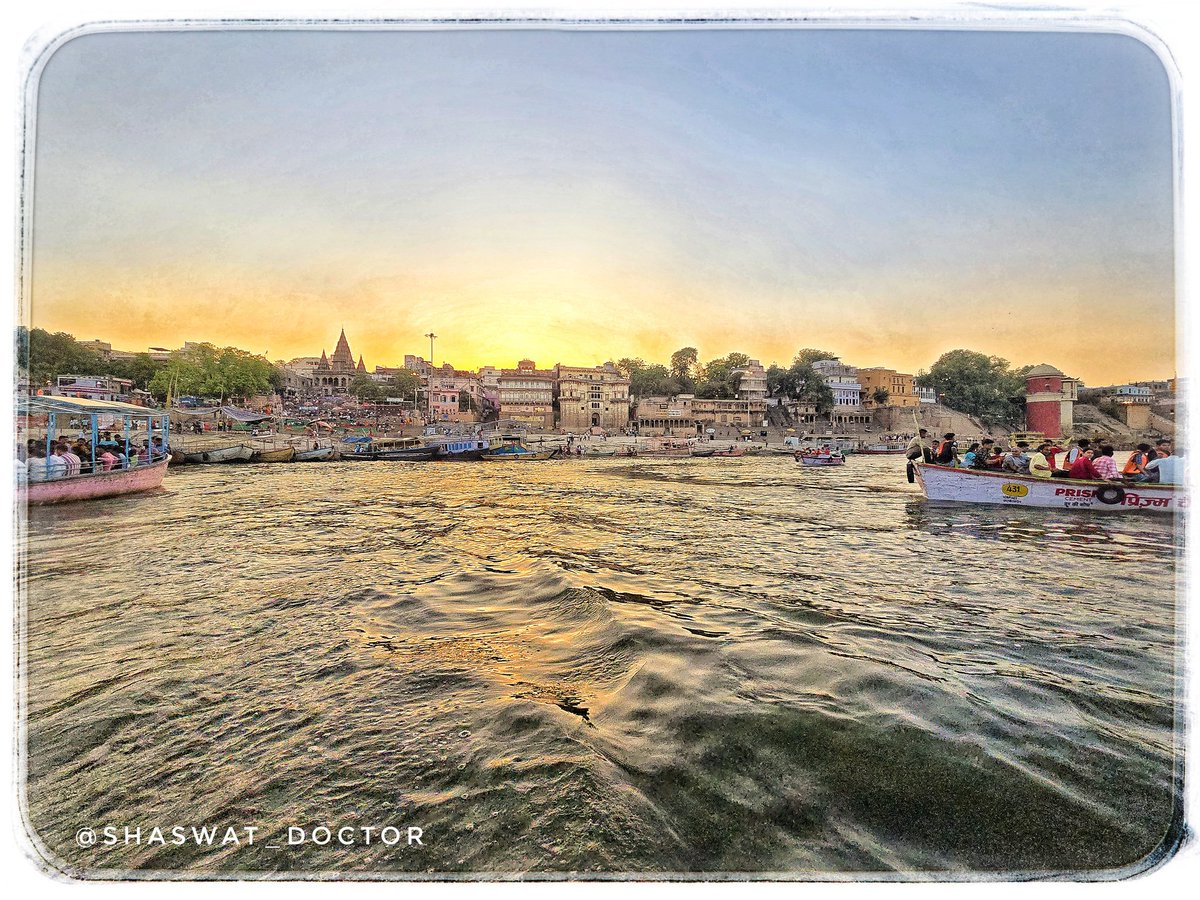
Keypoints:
pixel 141 477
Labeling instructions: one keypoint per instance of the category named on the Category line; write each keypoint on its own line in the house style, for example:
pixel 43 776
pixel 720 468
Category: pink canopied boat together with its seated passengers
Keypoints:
pixel 124 449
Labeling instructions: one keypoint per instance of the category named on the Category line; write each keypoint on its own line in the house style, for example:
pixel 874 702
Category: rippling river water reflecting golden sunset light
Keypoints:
pixel 655 667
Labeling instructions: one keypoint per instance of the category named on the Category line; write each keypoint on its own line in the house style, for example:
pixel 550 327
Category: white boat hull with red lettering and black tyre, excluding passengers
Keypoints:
pixel 947 484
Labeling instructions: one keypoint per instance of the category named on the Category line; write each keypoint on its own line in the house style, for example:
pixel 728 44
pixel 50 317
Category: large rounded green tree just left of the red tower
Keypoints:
pixel 976 385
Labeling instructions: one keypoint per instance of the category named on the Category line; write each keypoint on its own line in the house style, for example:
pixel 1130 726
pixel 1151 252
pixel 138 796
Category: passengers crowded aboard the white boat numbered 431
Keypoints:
pixel 1161 464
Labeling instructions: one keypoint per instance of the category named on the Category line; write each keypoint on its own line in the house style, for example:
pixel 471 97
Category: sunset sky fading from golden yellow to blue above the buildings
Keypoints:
pixel 578 196
